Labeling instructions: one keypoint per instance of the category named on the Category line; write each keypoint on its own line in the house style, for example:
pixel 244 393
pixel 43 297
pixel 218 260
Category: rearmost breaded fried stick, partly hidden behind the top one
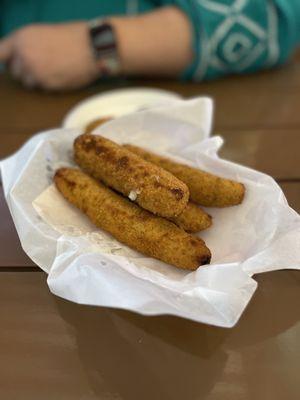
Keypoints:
pixel 205 189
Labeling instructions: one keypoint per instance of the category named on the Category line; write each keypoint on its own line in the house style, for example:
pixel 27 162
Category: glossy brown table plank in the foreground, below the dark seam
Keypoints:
pixel 54 349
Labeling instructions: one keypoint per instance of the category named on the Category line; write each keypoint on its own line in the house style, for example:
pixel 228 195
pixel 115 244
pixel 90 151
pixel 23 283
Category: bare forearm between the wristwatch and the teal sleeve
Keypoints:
pixel 156 43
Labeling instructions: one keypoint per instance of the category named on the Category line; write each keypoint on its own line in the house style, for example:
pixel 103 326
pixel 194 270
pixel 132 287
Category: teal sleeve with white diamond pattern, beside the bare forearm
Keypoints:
pixel 240 36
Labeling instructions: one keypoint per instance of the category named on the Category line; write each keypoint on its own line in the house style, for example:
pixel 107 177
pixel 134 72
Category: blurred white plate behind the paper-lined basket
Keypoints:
pixel 115 103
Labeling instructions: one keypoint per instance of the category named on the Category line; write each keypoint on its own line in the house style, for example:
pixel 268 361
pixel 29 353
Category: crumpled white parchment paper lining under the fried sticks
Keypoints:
pixel 88 266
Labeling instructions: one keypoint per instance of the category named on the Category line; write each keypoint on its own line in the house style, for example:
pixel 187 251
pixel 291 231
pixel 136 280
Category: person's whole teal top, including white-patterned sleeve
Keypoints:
pixel 229 36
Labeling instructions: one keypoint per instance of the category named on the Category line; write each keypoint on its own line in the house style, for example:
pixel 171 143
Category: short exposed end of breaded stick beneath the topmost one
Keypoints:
pixel 193 219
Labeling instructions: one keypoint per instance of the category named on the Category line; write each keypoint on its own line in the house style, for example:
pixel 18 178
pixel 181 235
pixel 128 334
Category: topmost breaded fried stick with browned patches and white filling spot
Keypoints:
pixel 150 186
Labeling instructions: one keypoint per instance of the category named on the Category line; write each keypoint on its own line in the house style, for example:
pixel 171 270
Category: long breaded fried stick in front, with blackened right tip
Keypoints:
pixel 130 224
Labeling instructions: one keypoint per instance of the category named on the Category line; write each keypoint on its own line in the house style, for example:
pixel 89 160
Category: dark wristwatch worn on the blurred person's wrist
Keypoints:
pixel 104 45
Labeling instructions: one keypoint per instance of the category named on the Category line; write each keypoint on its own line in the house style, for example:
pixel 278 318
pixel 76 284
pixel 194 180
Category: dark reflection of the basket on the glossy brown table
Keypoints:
pixel 134 357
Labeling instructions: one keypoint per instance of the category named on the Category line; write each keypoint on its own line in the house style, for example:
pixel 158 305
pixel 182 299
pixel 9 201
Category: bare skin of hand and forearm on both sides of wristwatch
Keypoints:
pixel 61 56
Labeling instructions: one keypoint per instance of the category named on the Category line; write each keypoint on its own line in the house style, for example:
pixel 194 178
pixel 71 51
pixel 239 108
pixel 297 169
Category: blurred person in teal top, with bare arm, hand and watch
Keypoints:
pixel 59 45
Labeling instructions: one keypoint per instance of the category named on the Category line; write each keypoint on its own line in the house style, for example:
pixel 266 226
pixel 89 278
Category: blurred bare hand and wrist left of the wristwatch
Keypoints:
pixel 50 56
